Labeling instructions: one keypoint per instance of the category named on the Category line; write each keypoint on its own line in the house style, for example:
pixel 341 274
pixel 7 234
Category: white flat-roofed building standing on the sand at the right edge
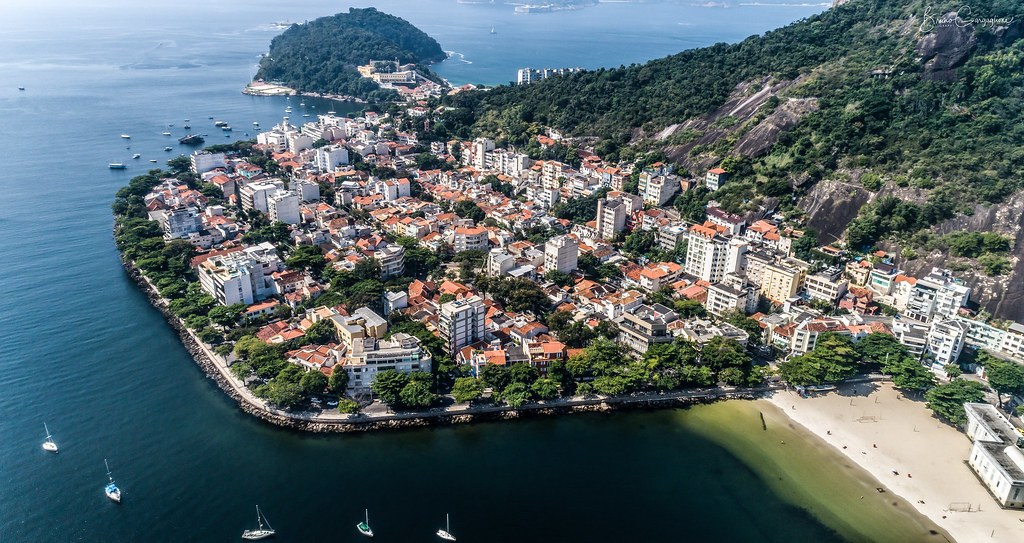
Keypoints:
pixel 998 454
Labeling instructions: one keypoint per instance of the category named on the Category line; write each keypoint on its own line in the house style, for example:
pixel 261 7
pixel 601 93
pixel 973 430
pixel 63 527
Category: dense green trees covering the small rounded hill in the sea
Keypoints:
pixel 322 56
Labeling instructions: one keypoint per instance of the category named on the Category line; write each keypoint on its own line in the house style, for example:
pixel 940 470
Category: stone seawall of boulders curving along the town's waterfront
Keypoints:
pixel 306 422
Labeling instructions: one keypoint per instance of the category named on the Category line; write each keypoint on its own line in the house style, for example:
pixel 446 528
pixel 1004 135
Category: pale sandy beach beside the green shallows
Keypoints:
pixel 880 431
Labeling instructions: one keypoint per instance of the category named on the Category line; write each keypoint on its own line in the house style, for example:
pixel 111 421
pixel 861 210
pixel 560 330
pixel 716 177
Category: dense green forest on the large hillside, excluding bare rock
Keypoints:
pixel 879 109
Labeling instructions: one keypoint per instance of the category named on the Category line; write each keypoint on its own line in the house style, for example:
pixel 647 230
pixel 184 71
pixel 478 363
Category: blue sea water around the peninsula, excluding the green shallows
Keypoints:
pixel 82 350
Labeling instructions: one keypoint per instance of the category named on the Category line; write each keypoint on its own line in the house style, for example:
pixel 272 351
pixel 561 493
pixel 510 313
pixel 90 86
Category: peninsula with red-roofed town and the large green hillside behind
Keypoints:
pixel 641 236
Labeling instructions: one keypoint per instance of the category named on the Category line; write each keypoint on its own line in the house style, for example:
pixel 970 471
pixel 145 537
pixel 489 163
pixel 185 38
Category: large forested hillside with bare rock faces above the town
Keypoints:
pixel 876 122
